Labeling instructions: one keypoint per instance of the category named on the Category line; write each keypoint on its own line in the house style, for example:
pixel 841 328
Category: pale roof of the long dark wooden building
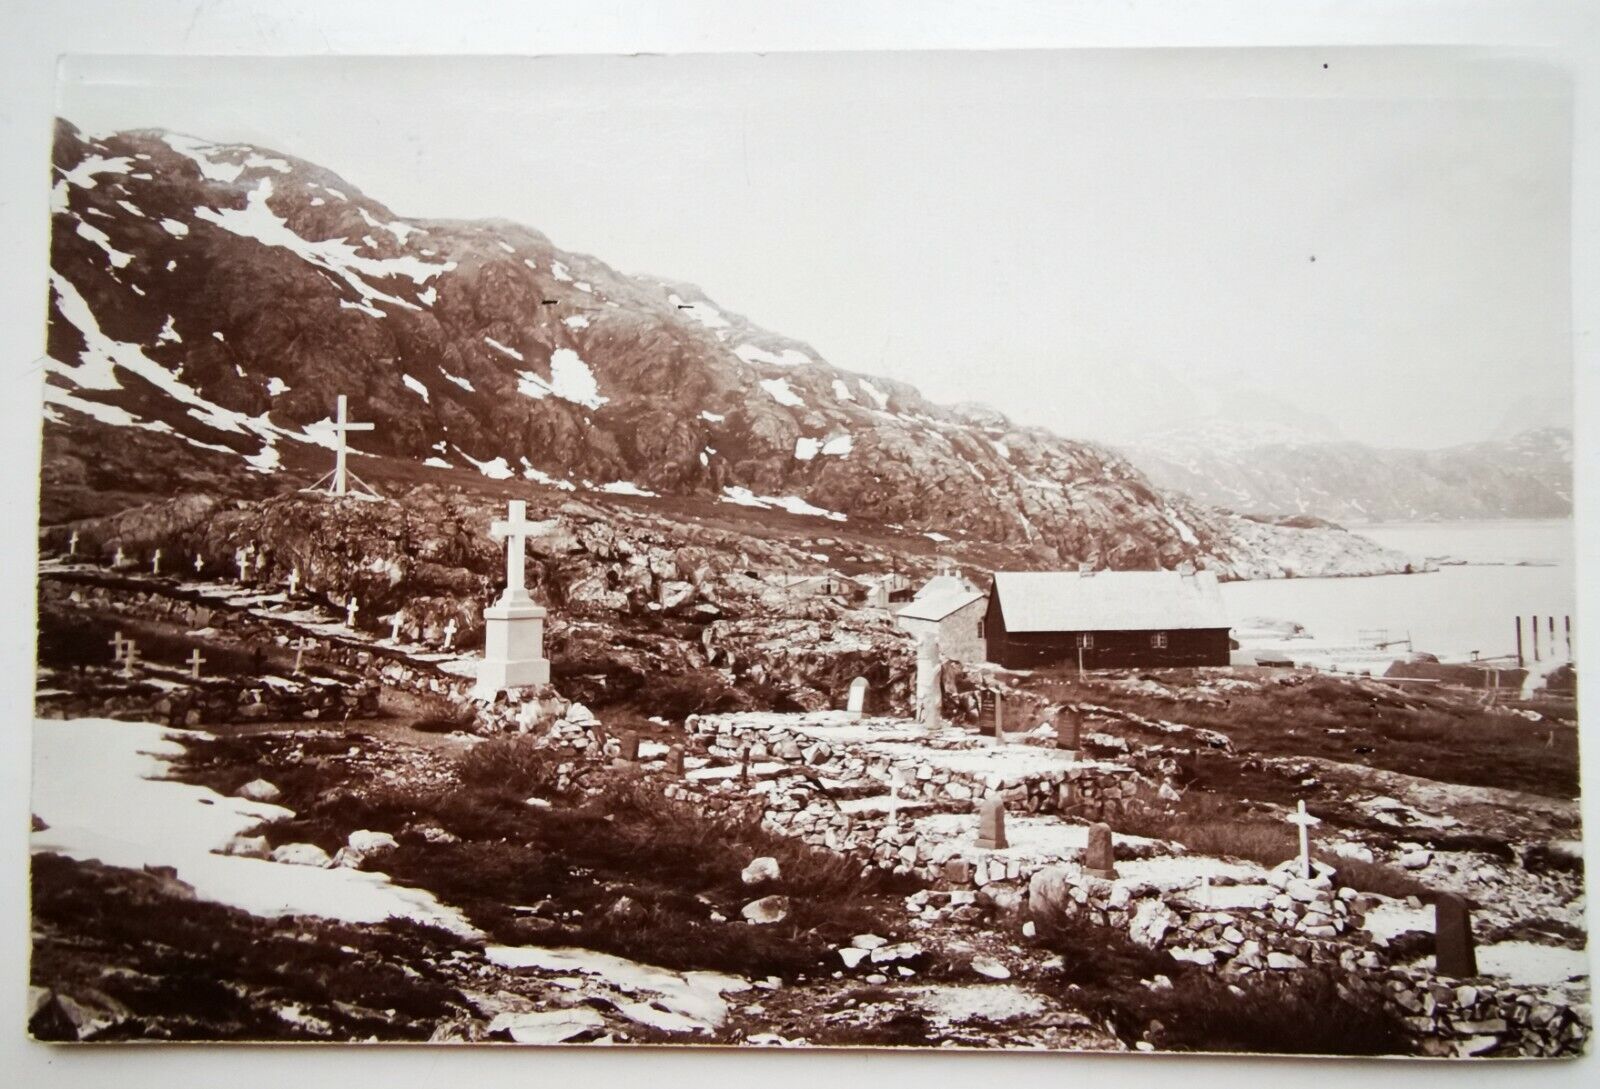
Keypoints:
pixel 1110 600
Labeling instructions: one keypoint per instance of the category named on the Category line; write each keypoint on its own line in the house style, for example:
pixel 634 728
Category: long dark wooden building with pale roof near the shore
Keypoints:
pixel 1106 620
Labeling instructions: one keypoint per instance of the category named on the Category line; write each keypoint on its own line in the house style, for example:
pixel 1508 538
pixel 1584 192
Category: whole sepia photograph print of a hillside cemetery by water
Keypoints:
pixel 1028 549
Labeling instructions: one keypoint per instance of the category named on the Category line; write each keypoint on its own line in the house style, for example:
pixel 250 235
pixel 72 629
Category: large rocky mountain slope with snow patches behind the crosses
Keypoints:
pixel 209 303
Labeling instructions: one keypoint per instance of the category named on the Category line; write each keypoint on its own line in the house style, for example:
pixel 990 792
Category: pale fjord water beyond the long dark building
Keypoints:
pixel 1511 568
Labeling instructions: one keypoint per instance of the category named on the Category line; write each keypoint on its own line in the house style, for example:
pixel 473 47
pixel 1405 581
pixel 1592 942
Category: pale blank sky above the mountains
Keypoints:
pixel 1105 244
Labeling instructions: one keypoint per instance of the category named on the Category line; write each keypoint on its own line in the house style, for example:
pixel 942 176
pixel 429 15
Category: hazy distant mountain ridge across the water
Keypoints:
pixel 1529 476
